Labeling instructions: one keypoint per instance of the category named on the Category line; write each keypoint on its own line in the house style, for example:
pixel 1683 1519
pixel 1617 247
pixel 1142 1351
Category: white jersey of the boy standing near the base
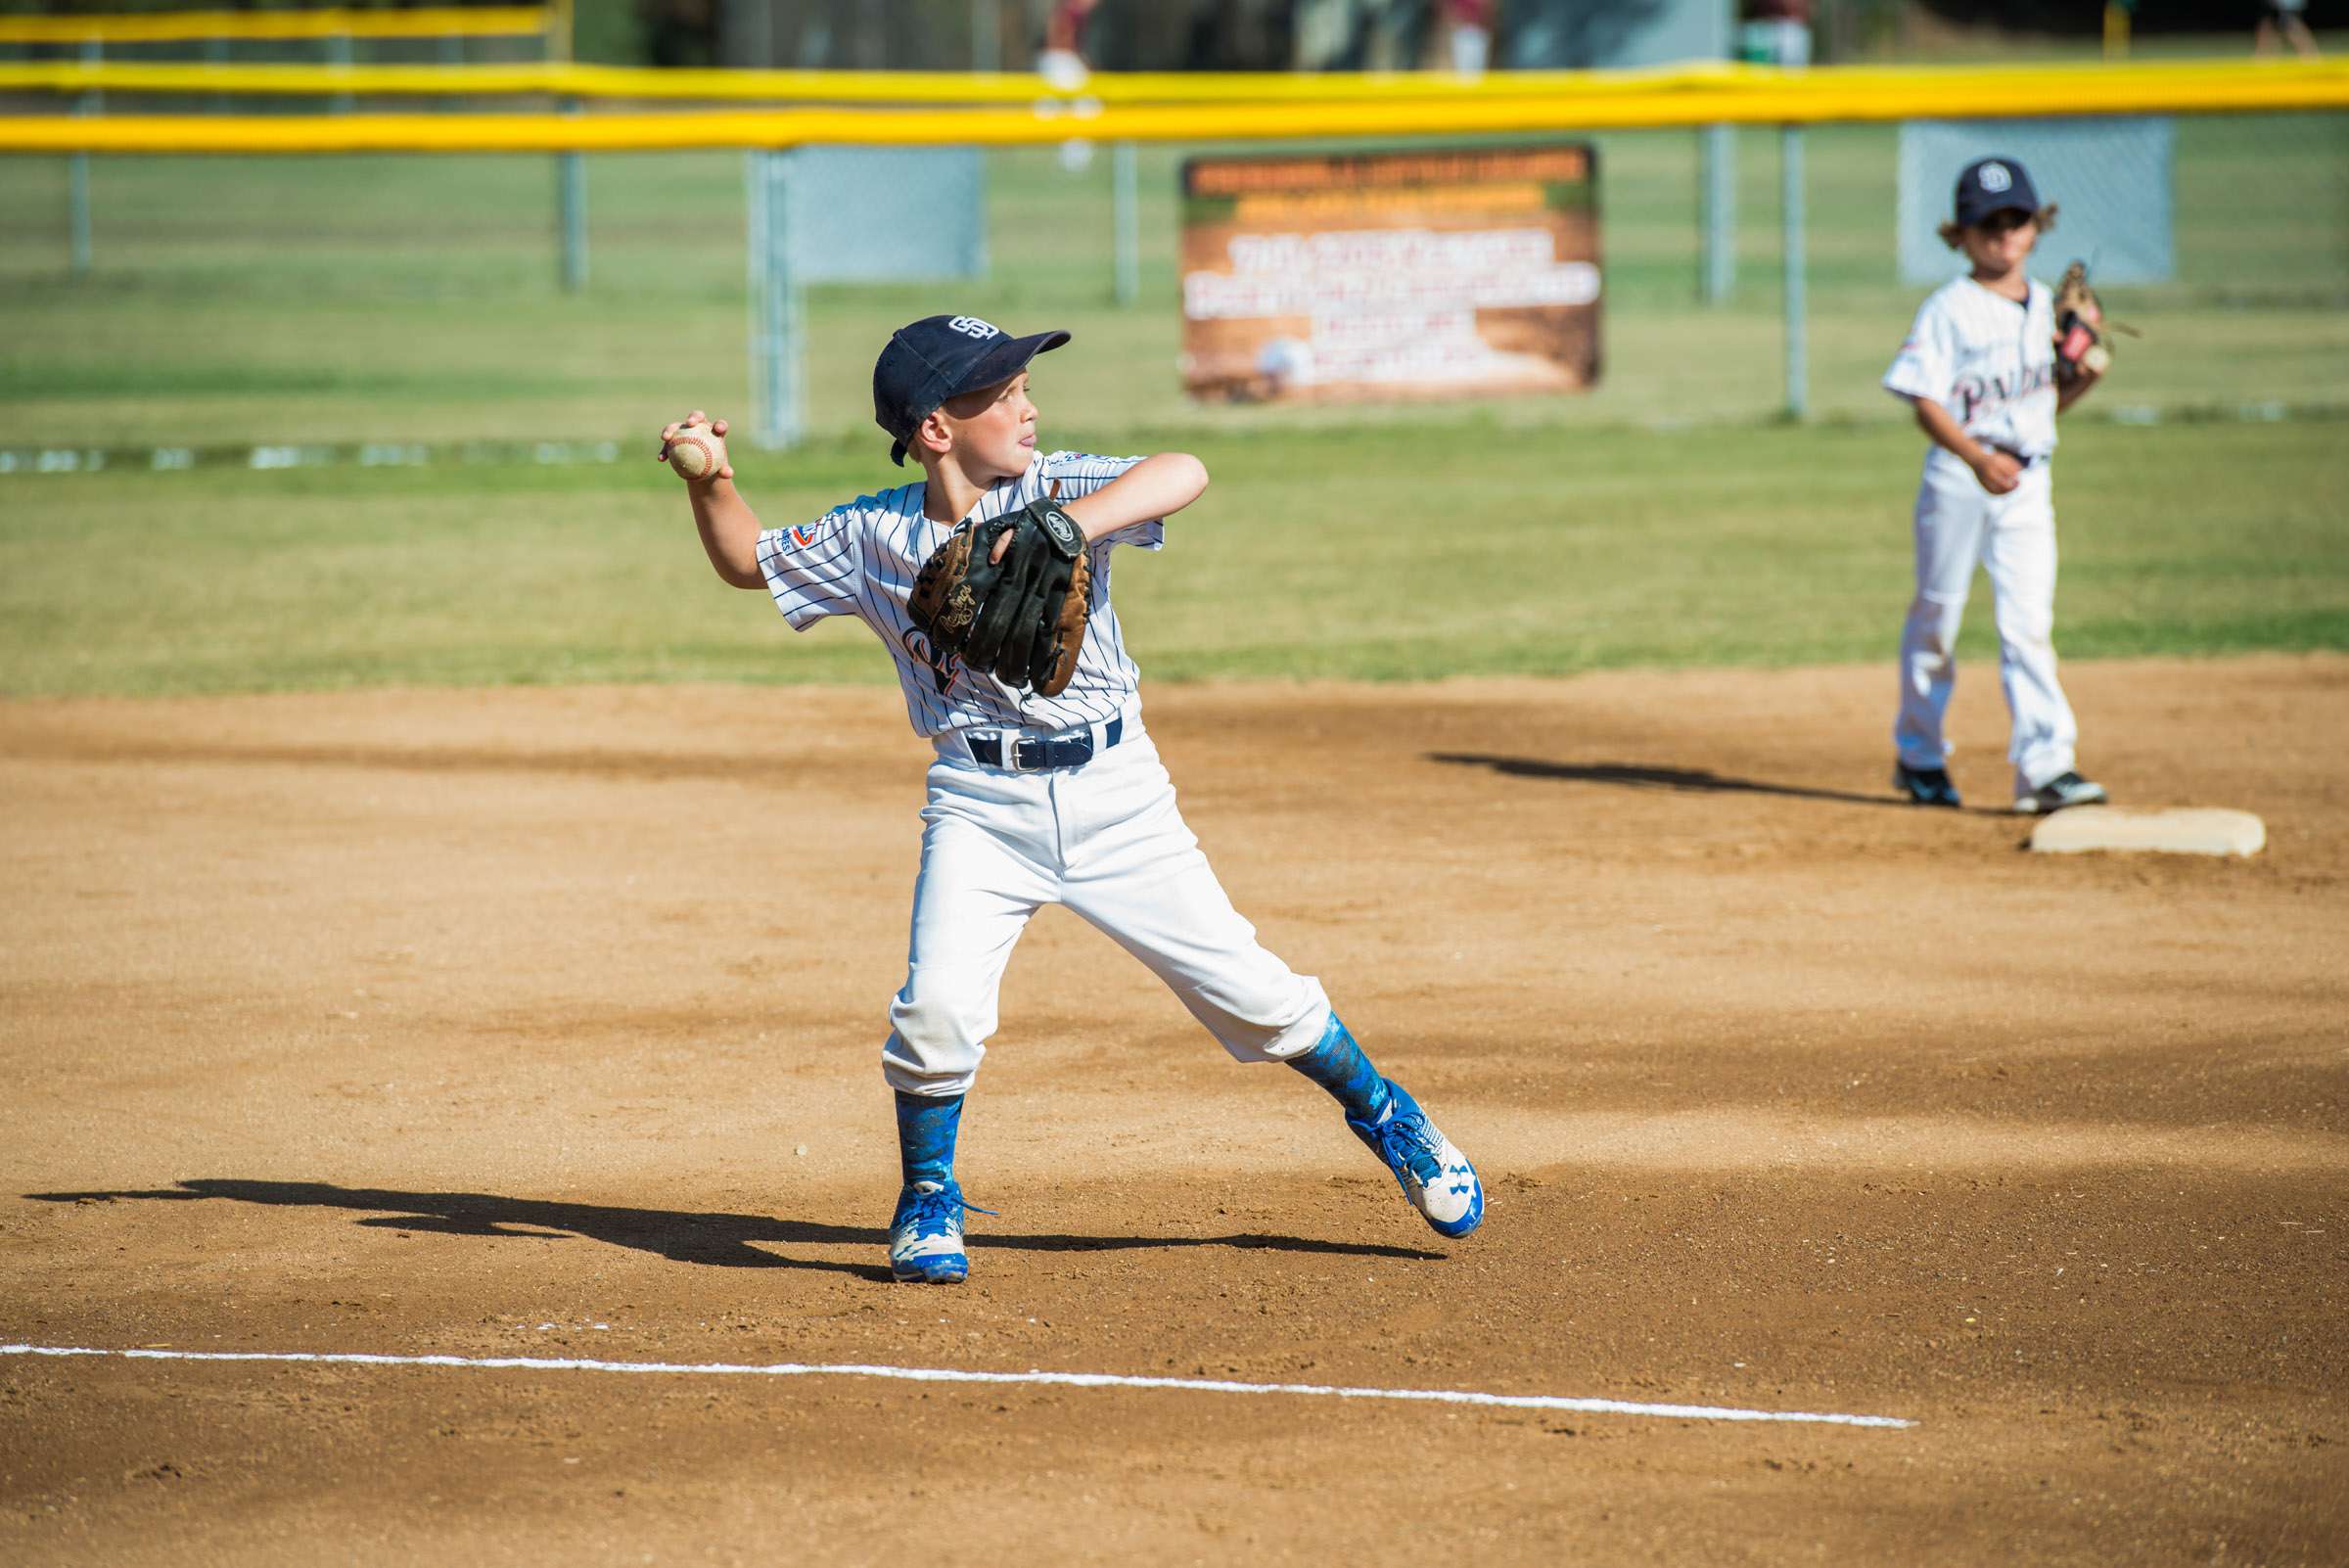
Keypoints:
pixel 1988 360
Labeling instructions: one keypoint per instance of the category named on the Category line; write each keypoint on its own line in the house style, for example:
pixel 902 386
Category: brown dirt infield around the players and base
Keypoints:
pixel 546 1025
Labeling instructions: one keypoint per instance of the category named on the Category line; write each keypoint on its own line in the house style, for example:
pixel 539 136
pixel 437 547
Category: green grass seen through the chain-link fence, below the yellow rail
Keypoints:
pixel 417 297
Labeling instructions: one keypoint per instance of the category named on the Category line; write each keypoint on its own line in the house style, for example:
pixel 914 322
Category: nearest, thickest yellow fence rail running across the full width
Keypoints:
pixel 1382 107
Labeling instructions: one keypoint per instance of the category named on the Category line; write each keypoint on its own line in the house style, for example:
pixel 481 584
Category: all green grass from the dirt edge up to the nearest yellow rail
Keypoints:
pixel 1664 520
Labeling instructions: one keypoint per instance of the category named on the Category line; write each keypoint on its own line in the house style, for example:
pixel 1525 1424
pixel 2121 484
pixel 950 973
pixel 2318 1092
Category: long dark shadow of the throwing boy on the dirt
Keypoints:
pixel 722 1241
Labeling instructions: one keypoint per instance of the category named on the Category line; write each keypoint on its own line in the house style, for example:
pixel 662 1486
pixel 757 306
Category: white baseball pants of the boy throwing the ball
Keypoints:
pixel 1108 842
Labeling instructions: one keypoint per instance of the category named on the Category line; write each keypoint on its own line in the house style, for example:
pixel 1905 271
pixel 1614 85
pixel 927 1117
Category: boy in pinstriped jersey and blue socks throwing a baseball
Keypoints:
pixel 1046 788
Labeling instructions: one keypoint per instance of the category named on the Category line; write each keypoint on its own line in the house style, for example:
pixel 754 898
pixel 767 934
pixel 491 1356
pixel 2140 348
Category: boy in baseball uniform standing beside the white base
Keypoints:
pixel 1984 372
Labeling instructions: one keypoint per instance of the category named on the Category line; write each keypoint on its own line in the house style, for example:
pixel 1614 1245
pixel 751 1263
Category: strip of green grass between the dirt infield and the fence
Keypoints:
pixel 1324 555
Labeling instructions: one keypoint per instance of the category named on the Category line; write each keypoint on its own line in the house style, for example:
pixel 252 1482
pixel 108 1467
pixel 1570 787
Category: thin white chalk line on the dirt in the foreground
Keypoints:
pixel 945 1374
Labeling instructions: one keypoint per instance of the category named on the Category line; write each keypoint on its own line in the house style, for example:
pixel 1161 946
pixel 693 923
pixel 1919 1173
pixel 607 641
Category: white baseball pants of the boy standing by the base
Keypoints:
pixel 2014 539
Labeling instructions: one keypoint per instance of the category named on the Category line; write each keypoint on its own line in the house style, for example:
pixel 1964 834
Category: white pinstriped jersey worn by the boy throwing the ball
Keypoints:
pixel 863 557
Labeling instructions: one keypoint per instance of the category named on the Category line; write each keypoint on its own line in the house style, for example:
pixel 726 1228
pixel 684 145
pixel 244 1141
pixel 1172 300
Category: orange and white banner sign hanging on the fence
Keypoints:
pixel 1392 276
